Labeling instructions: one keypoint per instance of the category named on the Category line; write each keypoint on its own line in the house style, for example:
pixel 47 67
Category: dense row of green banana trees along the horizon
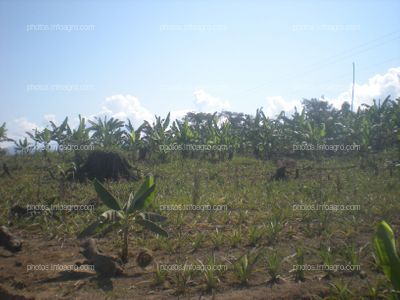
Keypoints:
pixel 374 127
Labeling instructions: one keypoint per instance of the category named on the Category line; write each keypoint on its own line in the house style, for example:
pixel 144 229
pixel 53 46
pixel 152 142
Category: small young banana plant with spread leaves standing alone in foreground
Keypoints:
pixel 124 216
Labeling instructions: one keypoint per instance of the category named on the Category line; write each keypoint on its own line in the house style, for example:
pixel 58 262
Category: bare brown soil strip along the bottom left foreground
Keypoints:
pixel 17 282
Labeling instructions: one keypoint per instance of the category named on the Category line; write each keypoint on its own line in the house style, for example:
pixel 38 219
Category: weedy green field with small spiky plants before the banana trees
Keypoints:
pixel 245 234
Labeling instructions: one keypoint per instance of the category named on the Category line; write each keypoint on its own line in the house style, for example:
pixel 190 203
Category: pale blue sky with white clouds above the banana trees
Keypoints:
pixel 134 59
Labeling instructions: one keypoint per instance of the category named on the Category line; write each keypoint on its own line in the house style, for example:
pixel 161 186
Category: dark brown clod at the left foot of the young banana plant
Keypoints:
pixel 104 265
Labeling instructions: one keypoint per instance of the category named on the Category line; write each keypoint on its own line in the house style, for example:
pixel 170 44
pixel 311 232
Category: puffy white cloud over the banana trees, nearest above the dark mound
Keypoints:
pixel 125 107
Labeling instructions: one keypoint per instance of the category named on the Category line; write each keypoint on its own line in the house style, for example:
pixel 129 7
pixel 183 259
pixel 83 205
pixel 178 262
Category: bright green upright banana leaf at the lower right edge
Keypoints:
pixel 387 255
